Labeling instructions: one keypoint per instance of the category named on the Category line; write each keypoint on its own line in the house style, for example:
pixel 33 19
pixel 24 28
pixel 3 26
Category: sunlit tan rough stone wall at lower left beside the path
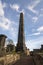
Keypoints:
pixel 9 59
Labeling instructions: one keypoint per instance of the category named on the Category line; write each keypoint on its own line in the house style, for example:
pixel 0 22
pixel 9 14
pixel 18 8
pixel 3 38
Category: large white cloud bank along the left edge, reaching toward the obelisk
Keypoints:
pixel 6 24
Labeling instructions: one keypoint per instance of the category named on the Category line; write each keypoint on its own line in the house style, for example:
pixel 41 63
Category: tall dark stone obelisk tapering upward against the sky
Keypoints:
pixel 21 38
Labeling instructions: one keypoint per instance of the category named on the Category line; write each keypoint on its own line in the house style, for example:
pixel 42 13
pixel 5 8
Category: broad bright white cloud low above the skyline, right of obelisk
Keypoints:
pixel 34 43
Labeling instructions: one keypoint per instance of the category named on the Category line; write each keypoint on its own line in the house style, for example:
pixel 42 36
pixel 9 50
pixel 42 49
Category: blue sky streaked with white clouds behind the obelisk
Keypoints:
pixel 33 21
